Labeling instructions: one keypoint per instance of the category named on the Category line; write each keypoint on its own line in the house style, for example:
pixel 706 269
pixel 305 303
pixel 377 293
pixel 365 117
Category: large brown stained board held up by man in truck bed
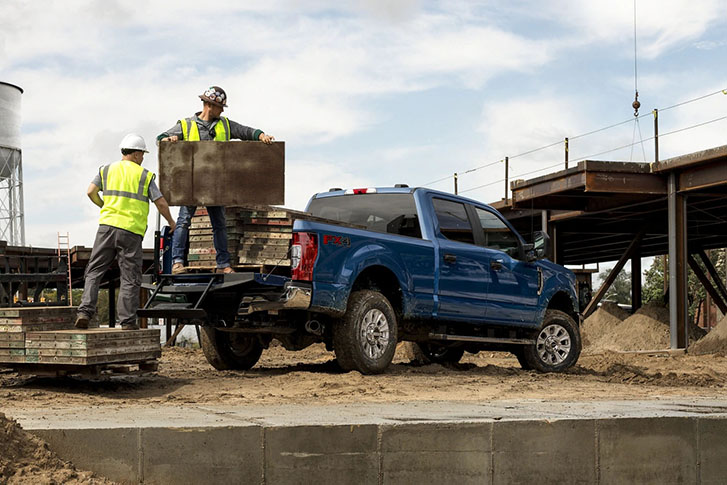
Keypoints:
pixel 229 174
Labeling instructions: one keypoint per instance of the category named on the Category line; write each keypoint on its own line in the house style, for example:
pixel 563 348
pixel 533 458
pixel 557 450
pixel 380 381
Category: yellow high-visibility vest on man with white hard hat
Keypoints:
pixel 126 196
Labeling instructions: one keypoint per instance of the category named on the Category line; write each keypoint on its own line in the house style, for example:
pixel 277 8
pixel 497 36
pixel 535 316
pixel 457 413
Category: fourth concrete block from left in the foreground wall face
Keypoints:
pixel 436 453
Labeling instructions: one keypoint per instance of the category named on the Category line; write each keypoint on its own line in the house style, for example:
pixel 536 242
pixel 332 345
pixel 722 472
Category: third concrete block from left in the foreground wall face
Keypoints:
pixel 322 455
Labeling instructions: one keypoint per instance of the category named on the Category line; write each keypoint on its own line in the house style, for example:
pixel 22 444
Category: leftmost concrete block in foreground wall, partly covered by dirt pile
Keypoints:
pixel 111 453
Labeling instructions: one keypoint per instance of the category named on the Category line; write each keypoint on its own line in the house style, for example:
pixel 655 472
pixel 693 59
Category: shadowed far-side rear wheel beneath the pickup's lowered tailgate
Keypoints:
pixel 229 350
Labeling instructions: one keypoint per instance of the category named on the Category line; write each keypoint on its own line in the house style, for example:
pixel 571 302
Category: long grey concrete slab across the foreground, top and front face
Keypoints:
pixel 664 441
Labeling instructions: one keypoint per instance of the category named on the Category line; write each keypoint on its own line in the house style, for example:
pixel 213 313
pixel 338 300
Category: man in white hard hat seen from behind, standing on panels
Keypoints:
pixel 127 189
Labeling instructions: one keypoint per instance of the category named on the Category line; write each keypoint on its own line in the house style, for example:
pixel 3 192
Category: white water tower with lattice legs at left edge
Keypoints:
pixel 12 219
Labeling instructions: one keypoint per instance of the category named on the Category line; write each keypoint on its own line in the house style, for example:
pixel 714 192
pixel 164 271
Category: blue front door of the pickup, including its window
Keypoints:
pixel 512 292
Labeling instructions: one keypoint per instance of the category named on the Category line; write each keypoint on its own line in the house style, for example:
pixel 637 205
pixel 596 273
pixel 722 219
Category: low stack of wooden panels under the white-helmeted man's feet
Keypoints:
pixel 45 335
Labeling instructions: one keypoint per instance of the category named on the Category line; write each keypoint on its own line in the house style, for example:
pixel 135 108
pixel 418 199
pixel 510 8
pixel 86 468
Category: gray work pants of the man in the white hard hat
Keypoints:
pixel 114 243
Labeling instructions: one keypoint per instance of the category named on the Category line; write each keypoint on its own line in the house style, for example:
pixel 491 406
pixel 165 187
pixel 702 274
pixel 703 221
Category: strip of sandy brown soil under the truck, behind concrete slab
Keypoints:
pixel 311 376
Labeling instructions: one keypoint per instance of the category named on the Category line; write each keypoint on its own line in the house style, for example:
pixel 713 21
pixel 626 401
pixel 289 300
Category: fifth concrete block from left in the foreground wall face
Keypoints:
pixel 544 452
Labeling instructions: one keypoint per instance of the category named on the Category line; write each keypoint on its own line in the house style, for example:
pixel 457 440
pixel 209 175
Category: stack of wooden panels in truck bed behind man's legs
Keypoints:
pixel 259 237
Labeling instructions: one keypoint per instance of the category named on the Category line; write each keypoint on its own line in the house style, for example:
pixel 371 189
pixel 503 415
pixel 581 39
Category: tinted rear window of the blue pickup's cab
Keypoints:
pixel 389 213
